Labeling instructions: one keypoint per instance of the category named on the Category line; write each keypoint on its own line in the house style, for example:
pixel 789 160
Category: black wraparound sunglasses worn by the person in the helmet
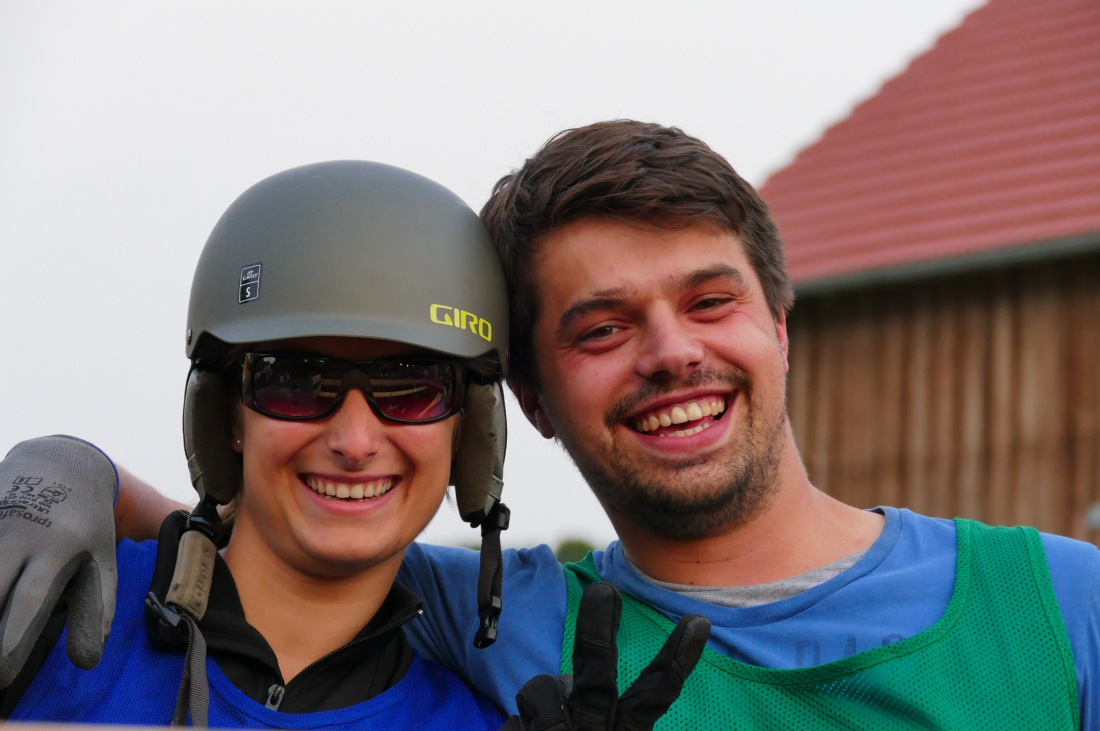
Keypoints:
pixel 302 386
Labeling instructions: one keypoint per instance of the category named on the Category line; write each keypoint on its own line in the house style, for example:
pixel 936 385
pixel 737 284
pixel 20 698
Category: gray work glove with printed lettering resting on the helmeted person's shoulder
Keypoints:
pixel 57 540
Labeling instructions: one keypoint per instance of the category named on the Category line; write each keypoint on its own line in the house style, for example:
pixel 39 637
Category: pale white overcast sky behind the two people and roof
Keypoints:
pixel 128 127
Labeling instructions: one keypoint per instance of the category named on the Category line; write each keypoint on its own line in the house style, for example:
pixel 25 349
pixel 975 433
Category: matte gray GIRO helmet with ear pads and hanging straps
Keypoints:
pixel 360 250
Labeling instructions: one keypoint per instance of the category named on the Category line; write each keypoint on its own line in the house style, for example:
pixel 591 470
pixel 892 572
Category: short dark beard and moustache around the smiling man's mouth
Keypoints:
pixel 678 507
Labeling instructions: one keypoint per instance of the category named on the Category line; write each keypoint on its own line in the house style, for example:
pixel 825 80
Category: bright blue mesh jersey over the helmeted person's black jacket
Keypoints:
pixel 137 683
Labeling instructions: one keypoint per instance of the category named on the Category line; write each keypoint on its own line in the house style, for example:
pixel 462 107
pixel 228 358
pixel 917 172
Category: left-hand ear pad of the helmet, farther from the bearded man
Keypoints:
pixel 215 468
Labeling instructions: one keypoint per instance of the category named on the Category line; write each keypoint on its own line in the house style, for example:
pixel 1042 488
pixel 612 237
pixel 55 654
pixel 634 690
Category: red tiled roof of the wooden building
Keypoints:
pixel 988 141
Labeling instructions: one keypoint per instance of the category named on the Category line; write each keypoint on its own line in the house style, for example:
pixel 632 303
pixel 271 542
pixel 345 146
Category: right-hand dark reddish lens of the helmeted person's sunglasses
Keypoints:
pixel 414 391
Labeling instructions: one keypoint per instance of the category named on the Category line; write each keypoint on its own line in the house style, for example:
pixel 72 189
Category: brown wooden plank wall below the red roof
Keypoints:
pixel 975 396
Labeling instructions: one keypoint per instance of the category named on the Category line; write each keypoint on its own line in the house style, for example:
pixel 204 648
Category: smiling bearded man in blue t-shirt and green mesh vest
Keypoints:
pixel 648 296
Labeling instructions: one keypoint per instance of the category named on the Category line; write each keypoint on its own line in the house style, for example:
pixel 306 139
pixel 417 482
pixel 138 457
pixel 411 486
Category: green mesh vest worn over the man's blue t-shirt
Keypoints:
pixel 998 659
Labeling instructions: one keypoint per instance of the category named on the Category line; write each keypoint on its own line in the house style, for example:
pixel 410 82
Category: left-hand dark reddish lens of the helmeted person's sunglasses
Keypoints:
pixel 293 386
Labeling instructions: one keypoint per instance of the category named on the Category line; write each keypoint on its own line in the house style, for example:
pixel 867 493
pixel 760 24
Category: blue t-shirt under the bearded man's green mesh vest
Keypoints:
pixel 900 588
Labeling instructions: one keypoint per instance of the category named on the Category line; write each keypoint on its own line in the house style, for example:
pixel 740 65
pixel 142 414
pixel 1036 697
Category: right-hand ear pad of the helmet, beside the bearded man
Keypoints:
pixel 478 468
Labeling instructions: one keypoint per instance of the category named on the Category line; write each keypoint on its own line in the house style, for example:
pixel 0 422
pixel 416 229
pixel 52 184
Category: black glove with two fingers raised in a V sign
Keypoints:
pixel 589 700
